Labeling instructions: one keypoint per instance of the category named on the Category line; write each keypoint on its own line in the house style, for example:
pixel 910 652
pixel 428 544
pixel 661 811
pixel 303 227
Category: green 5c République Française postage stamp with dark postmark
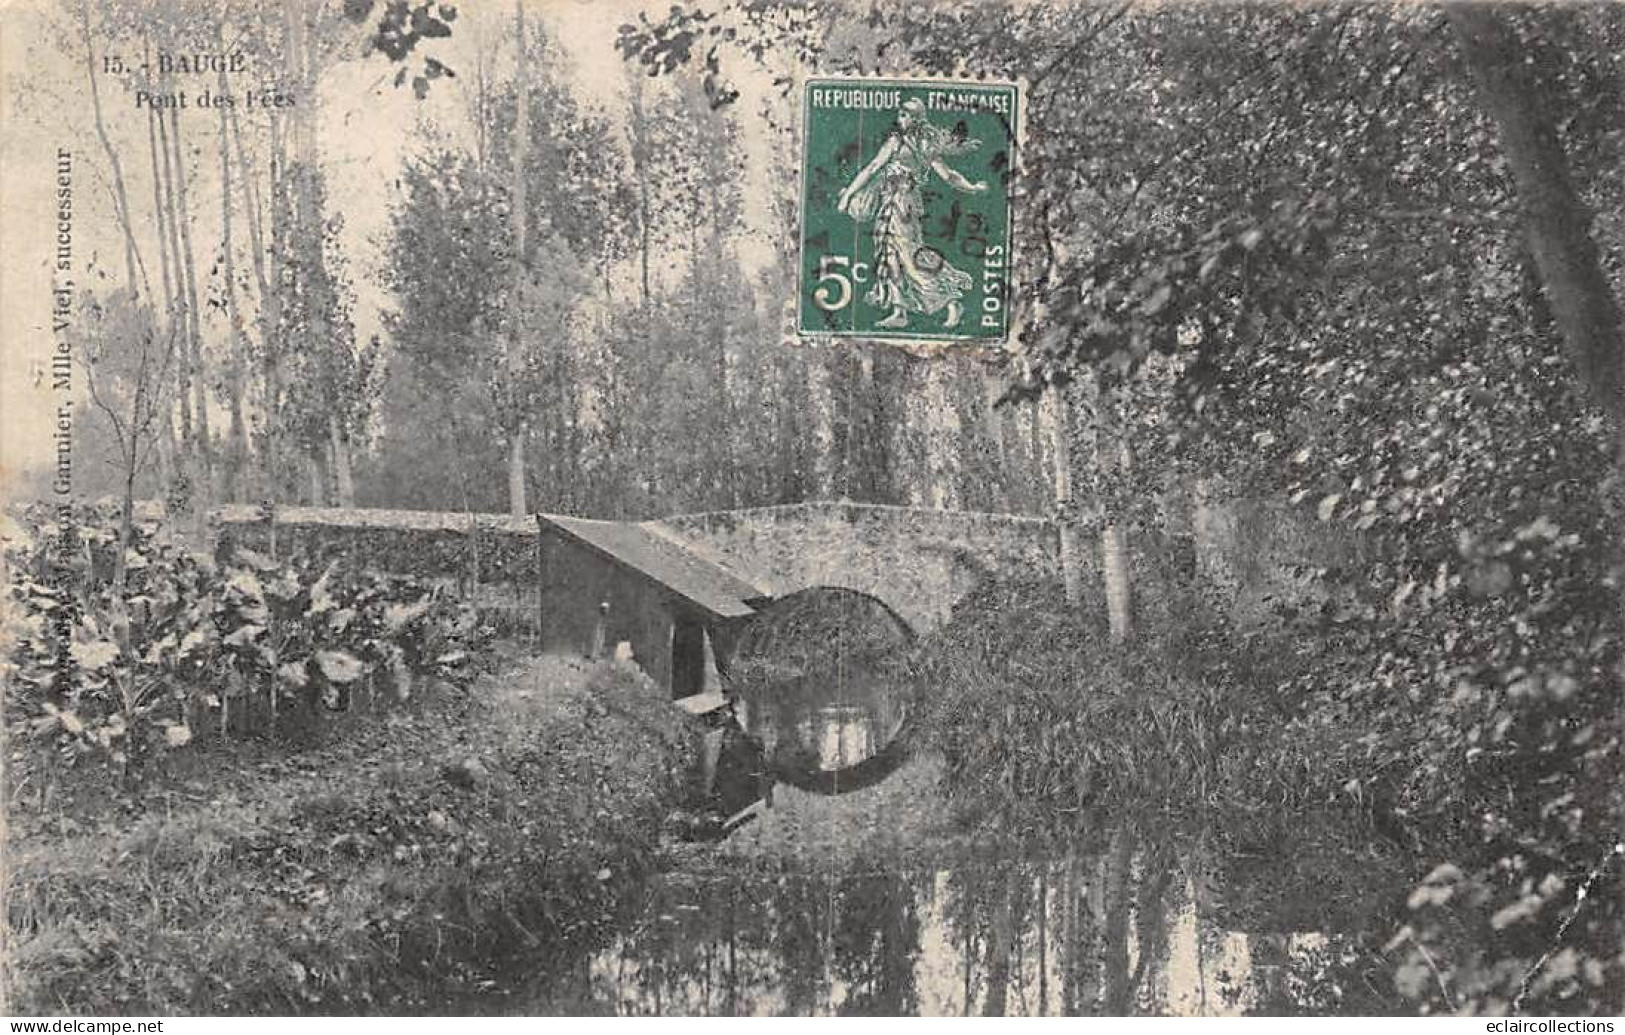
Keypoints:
pixel 906 220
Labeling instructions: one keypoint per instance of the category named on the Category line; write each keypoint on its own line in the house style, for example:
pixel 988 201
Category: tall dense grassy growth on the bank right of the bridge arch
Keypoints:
pixel 1039 709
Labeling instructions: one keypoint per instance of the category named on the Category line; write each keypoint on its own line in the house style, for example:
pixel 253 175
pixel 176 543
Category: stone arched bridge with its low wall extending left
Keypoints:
pixel 919 563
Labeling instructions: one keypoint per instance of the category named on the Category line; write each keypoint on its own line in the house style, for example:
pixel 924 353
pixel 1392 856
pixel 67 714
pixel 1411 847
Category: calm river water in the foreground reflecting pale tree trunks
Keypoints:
pixel 870 904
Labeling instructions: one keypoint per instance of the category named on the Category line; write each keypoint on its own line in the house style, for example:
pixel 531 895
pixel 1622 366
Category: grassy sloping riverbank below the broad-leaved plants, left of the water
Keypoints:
pixel 412 865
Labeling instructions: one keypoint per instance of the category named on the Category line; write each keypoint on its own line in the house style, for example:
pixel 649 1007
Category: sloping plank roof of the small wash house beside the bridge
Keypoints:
pixel 661 560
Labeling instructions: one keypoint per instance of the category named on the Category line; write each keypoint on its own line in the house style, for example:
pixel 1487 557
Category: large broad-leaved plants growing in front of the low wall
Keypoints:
pixel 194 643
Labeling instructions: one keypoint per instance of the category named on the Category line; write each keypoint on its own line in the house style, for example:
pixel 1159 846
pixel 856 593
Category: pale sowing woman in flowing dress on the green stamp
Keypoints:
pixel 911 277
